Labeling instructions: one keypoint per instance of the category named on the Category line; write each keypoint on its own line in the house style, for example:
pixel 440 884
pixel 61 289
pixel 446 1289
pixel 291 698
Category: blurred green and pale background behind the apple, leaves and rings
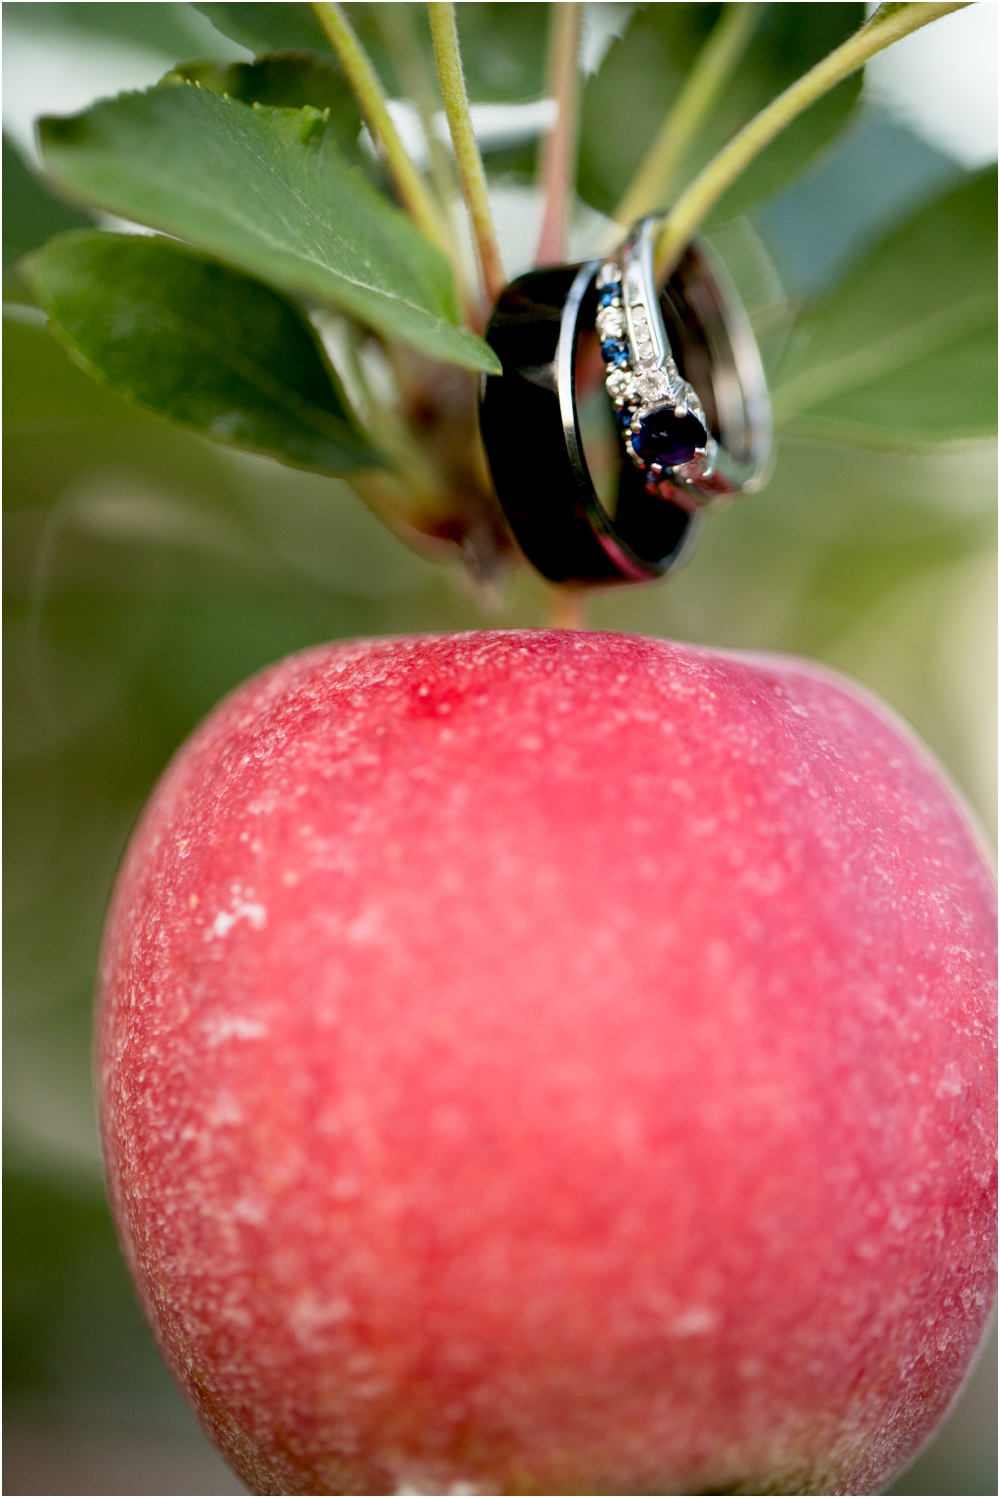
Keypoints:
pixel 149 573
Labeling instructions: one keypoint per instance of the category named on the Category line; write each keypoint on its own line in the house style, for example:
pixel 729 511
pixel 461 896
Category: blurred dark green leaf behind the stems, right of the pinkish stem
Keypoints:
pixel 628 100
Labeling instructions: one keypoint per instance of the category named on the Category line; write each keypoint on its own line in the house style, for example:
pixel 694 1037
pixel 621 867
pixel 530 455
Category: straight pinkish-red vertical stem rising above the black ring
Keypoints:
pixel 559 155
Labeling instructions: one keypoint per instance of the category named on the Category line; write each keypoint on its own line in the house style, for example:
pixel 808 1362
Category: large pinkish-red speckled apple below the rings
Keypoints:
pixel 550 1063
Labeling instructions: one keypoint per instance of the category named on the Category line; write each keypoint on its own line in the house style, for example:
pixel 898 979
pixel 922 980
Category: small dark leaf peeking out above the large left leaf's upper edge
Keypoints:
pixel 287 82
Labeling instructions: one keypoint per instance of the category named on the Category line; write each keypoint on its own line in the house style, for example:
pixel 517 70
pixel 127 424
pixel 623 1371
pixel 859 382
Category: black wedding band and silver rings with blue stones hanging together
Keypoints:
pixel 683 378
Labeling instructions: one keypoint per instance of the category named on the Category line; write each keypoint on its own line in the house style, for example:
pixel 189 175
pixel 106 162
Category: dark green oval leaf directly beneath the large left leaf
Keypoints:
pixel 197 342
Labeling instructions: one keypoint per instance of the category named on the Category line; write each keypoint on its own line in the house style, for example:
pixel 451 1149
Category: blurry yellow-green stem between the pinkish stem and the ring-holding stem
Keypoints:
pixel 656 179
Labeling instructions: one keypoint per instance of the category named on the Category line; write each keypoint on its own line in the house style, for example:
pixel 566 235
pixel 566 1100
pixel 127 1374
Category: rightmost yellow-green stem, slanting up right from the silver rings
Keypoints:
pixel 887 26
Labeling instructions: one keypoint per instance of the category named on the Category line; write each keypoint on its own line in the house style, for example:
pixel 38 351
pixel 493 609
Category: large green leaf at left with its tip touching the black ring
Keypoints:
pixel 269 192
